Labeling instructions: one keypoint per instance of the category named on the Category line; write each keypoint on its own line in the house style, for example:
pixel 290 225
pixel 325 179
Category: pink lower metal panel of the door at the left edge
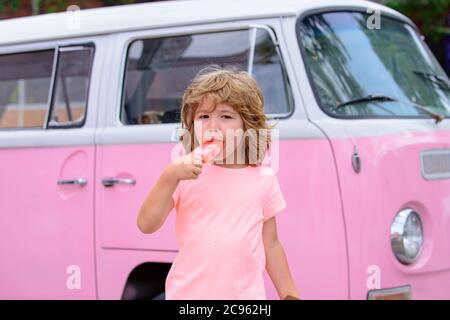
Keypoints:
pixel 46 230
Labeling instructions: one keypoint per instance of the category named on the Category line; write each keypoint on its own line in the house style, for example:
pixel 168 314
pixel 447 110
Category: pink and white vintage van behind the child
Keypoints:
pixel 89 115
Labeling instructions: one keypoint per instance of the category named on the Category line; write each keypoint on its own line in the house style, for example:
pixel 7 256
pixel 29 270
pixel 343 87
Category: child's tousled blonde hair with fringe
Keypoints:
pixel 239 90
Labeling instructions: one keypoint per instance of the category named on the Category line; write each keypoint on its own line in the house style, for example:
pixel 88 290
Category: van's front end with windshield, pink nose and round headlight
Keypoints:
pixel 380 95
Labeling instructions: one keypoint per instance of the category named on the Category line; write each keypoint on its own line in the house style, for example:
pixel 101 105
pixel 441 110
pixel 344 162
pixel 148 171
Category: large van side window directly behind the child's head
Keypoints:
pixel 159 69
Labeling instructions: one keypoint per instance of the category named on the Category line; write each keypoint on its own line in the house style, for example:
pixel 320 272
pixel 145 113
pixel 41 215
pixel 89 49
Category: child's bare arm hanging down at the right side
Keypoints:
pixel 276 262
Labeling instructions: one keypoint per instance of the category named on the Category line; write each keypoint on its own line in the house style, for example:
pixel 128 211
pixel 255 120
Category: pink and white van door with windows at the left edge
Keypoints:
pixel 47 125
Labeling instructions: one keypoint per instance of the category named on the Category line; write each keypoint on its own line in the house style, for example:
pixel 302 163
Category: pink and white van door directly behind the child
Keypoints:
pixel 140 132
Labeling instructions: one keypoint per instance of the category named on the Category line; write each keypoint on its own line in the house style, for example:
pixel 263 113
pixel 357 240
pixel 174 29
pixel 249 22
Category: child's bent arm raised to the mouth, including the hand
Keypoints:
pixel 159 202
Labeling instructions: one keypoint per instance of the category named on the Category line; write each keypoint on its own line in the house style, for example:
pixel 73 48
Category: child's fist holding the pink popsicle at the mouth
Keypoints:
pixel 186 167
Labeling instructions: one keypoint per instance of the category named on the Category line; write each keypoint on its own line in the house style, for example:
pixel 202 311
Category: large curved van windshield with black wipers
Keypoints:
pixel 351 55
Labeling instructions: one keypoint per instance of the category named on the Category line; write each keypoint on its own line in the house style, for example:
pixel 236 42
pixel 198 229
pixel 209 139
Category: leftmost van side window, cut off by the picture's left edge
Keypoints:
pixel 24 88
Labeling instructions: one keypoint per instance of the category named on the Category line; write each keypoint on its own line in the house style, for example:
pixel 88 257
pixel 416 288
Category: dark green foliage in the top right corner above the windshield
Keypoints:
pixel 429 15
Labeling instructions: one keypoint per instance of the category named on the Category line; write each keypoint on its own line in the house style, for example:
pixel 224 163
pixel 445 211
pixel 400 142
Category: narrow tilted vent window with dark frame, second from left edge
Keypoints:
pixel 71 86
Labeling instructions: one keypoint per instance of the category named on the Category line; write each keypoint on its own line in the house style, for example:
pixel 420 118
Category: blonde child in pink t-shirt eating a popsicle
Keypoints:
pixel 225 222
